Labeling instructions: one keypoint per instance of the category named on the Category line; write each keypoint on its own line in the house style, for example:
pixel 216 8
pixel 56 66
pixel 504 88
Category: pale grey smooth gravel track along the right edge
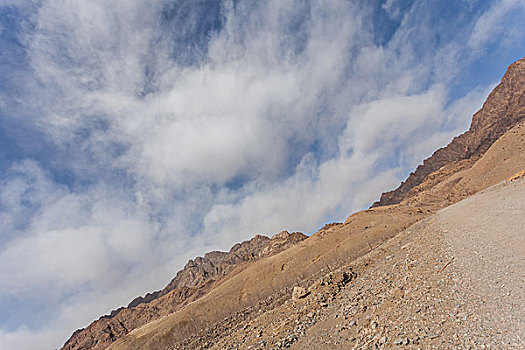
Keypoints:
pixel 486 236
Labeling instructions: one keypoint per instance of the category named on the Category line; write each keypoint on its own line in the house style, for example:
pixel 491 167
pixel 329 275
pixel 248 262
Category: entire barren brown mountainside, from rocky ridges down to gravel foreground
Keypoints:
pixel 437 263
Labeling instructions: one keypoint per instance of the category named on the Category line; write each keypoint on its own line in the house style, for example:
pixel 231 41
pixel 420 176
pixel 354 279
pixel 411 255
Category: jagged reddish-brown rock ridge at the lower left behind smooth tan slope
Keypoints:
pixel 196 278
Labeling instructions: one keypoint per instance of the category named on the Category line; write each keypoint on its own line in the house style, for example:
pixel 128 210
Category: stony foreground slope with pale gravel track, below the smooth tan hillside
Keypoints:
pixel 452 281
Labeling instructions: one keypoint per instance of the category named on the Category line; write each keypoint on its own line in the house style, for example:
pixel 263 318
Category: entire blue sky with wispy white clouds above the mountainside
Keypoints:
pixel 135 135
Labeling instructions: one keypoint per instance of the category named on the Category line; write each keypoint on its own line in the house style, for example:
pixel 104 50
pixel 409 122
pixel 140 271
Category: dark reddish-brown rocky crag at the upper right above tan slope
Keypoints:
pixel 504 108
